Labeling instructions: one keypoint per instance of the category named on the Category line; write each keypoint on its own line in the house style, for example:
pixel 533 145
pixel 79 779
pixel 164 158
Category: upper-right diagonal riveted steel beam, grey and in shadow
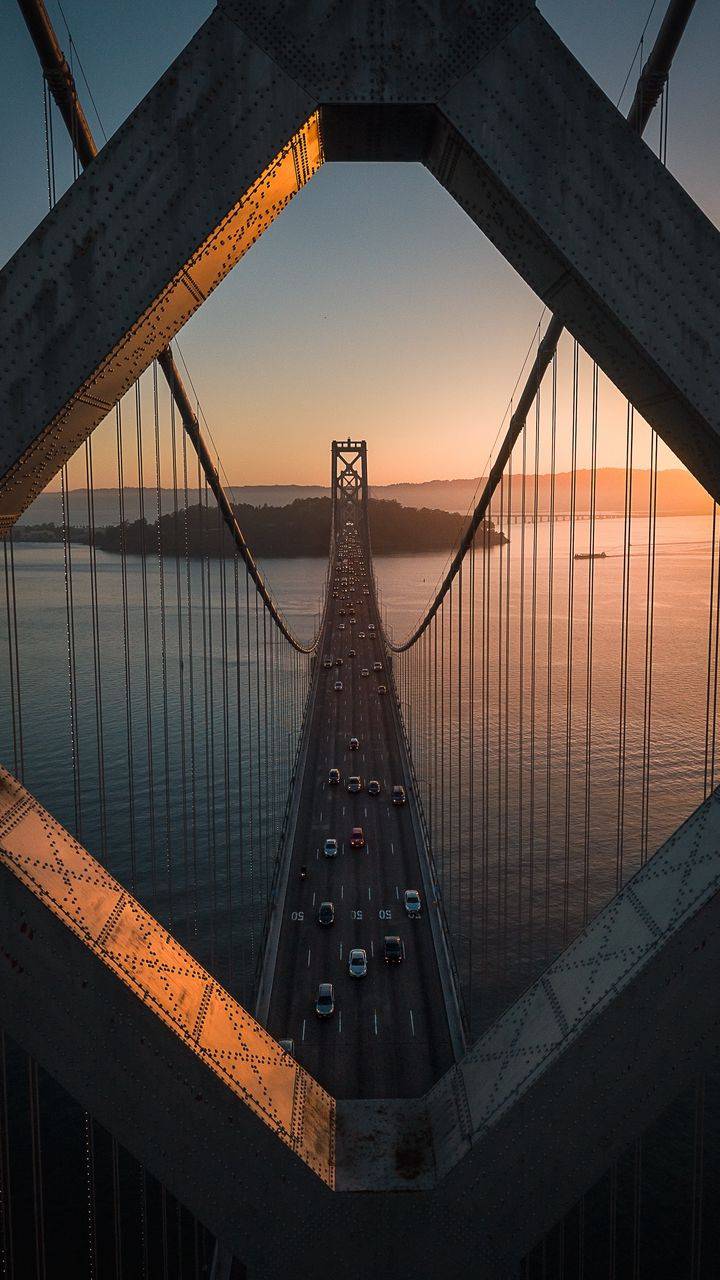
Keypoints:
pixel 591 220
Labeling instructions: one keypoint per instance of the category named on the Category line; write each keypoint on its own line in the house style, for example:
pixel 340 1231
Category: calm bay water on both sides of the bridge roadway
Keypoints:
pixel 211 749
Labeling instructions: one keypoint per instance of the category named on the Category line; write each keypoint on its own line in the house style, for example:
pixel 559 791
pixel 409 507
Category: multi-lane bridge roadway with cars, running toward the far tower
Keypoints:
pixel 389 1035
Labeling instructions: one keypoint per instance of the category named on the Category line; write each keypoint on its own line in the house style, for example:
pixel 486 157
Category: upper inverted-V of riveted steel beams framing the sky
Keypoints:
pixel 485 93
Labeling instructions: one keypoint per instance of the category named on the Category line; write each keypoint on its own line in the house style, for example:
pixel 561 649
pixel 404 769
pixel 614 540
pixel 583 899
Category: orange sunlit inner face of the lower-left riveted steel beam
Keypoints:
pixel 165 976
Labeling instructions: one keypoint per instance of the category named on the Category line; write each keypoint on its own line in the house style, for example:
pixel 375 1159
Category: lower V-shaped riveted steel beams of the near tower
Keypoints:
pixel 489 1160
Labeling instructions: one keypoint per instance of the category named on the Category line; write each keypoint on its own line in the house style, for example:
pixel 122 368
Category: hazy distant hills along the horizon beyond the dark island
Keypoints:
pixel 678 495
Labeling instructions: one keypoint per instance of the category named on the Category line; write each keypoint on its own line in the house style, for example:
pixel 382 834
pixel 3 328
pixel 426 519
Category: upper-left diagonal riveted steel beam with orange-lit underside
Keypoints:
pixel 168 207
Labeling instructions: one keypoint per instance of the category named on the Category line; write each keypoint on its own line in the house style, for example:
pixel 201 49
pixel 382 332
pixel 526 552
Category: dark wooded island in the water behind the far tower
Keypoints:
pixel 303 528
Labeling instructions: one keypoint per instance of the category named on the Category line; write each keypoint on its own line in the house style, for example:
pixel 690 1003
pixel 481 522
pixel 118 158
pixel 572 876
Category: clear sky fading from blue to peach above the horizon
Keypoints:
pixel 373 307
